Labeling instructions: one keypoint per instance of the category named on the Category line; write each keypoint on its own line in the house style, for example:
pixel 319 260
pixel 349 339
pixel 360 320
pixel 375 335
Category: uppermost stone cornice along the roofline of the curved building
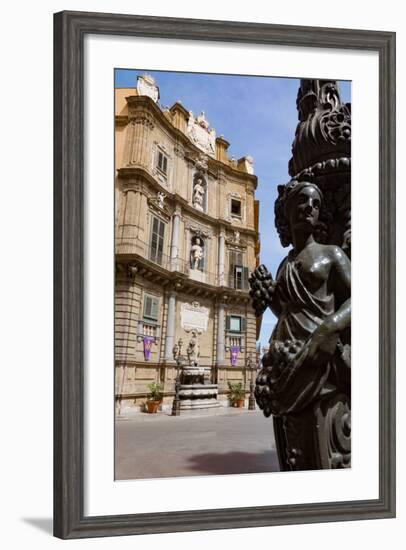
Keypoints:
pixel 147 104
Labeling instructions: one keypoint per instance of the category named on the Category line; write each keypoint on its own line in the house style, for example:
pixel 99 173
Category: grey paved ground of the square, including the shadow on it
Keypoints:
pixel 227 441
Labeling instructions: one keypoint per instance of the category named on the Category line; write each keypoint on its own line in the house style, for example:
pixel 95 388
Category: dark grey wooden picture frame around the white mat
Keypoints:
pixel 70 29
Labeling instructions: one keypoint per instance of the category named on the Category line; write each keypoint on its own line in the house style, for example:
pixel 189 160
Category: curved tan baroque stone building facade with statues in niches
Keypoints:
pixel 186 239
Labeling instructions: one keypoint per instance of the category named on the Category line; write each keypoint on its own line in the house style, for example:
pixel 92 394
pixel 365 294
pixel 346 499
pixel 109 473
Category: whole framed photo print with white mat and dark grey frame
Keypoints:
pixel 224 275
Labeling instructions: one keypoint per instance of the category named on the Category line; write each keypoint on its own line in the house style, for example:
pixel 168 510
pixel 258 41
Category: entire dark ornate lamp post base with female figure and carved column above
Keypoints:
pixel 305 379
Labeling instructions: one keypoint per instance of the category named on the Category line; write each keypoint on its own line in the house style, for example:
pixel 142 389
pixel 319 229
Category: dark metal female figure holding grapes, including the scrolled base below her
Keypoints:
pixel 305 377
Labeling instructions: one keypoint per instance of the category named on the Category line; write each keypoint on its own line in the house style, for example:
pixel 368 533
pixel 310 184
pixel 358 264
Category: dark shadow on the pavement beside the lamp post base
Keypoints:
pixel 235 463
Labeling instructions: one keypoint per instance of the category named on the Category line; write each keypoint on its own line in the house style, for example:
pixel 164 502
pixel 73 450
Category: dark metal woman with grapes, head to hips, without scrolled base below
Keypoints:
pixel 311 299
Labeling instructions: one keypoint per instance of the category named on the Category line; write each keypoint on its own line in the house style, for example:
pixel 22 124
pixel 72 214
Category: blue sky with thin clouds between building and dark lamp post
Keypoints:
pixel 258 116
